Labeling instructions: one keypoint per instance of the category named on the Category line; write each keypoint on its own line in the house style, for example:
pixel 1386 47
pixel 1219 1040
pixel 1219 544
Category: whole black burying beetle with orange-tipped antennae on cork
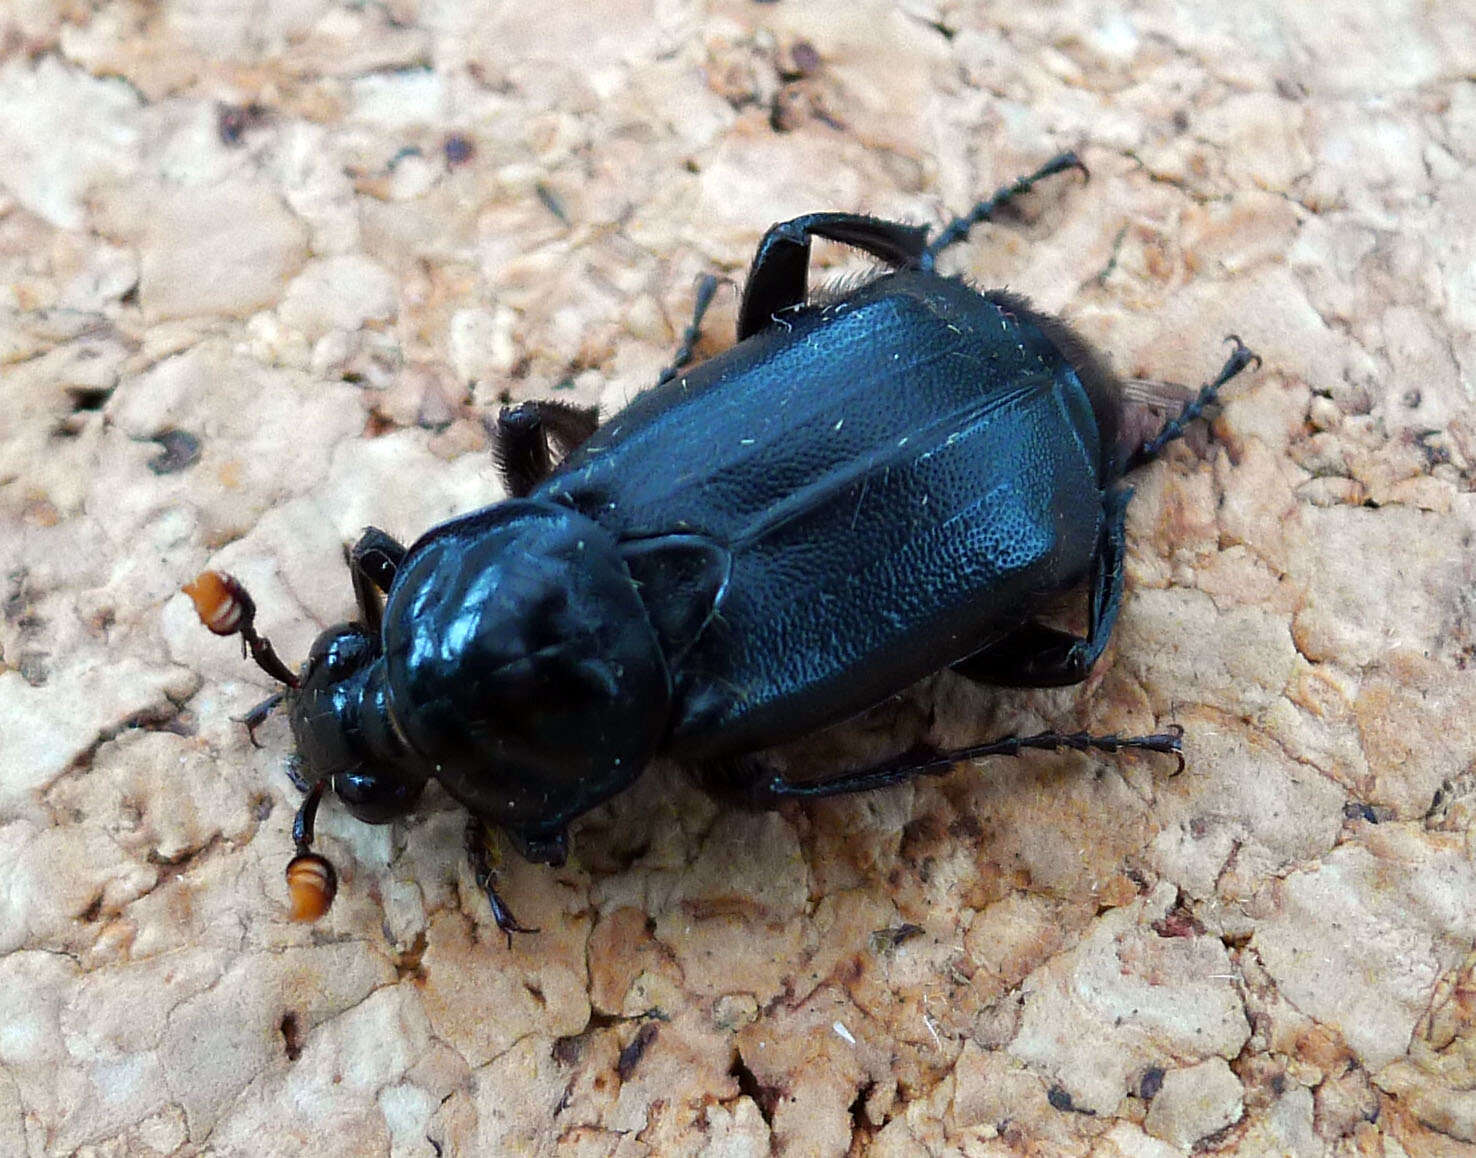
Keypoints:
pixel 861 492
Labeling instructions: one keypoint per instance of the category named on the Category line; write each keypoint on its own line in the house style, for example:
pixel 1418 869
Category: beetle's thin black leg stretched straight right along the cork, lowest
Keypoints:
pixel 749 781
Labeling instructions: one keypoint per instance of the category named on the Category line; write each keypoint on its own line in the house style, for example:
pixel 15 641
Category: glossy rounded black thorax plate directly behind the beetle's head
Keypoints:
pixel 520 665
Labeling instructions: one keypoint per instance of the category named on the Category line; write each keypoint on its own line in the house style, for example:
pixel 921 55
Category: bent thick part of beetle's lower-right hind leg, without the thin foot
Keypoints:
pixel 1035 656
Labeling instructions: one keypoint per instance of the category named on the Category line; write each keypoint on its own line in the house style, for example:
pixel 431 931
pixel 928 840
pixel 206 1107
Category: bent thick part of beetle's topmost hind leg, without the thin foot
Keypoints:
pixel 779 277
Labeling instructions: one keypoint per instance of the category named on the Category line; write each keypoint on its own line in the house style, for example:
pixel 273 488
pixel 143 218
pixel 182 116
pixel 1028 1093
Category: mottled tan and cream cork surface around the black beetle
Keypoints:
pixel 265 271
